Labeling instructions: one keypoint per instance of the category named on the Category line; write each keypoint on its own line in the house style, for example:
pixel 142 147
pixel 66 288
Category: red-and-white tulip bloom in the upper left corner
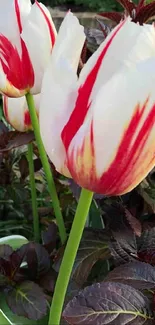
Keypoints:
pixel 27 35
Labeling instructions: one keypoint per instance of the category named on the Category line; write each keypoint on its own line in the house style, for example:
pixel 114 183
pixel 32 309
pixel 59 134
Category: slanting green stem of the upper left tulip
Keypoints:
pixel 47 169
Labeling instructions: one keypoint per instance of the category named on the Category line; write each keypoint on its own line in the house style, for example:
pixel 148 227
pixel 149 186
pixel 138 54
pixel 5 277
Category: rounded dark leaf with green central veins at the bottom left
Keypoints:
pixel 27 300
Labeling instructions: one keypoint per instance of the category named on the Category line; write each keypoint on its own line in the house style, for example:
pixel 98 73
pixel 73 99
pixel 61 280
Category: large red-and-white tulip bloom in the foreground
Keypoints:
pixel 100 128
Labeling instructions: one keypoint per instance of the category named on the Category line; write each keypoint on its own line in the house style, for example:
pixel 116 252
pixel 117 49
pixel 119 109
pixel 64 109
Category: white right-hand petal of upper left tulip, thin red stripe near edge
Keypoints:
pixel 37 36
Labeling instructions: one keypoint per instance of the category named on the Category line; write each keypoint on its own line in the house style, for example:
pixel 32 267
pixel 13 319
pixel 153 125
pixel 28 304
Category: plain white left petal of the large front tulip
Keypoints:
pixel 59 90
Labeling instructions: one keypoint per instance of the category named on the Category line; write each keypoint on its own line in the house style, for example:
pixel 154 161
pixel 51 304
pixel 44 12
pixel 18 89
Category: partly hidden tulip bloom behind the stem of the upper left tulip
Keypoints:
pixel 17 114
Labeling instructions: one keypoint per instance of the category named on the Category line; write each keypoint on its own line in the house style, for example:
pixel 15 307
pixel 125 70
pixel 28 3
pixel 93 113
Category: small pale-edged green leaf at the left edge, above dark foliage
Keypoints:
pixel 15 241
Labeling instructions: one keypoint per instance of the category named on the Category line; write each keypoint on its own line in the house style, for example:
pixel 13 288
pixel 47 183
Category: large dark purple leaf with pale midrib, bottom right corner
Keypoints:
pixel 109 303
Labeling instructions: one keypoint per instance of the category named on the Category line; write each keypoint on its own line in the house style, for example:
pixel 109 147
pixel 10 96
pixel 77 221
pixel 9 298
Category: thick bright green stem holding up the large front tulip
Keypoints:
pixel 69 256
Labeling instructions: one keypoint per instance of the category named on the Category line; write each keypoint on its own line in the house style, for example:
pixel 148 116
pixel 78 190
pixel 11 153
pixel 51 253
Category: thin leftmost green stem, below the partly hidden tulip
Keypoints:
pixel 33 194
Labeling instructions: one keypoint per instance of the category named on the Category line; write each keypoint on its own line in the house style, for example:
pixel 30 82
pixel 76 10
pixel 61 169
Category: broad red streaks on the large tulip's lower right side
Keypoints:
pixel 128 153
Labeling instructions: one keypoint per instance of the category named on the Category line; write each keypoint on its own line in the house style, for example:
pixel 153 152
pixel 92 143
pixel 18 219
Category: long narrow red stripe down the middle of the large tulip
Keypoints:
pixel 82 104
